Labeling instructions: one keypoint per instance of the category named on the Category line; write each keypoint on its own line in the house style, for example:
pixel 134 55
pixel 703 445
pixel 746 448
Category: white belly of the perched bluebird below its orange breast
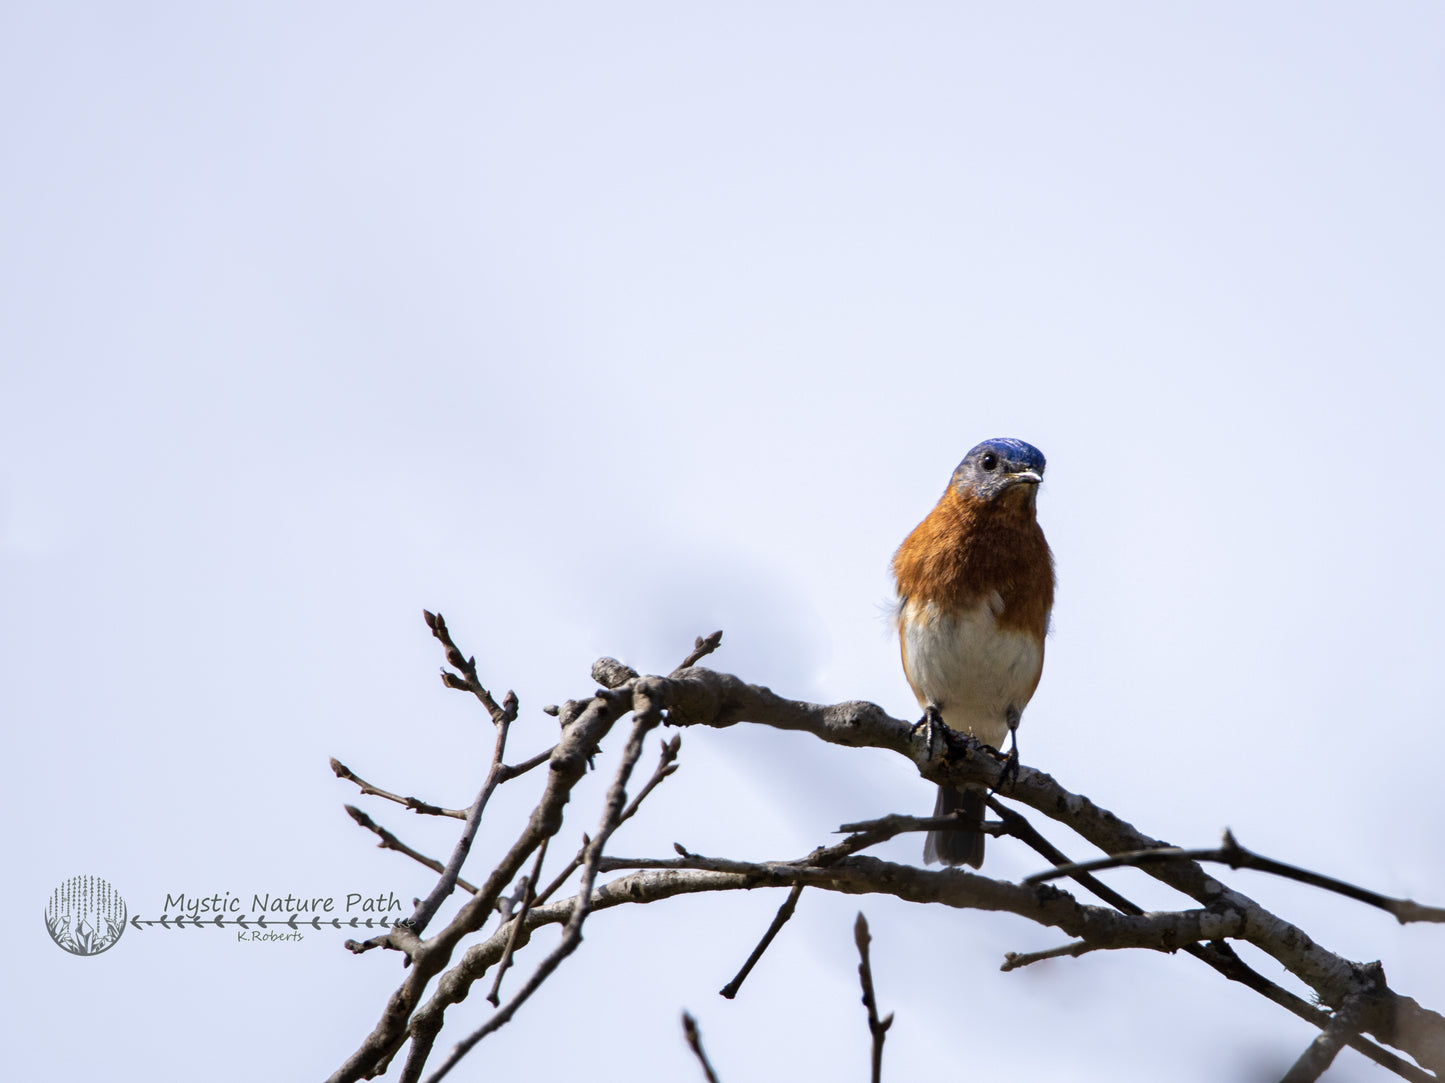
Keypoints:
pixel 969 669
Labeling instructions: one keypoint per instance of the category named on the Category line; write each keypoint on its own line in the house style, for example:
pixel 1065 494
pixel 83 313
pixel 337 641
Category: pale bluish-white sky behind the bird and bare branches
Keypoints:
pixel 599 328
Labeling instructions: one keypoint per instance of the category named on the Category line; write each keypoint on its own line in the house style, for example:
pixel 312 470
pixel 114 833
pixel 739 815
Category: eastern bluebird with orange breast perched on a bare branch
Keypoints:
pixel 976 588
